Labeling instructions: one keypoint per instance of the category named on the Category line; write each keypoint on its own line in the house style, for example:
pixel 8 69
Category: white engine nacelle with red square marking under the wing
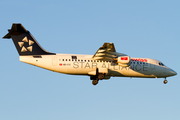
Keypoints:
pixel 123 61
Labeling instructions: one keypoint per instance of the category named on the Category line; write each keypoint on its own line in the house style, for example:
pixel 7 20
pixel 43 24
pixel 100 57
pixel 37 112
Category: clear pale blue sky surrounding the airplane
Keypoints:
pixel 138 28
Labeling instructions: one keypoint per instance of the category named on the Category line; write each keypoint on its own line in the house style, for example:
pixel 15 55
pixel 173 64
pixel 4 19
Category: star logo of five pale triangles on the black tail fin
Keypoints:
pixel 23 48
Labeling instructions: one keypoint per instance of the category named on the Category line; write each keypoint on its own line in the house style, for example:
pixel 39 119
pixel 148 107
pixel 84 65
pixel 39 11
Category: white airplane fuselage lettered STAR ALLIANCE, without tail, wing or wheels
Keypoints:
pixel 86 65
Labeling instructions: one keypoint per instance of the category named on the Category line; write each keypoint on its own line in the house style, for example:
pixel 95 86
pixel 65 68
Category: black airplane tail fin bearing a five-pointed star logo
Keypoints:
pixel 24 41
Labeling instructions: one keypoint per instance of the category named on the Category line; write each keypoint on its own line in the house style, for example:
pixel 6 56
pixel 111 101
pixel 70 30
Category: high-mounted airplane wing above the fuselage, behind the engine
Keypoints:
pixel 107 52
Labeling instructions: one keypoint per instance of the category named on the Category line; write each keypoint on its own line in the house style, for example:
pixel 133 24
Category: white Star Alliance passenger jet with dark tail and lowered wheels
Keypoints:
pixel 103 65
